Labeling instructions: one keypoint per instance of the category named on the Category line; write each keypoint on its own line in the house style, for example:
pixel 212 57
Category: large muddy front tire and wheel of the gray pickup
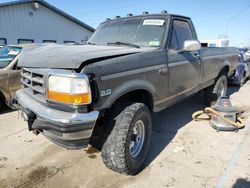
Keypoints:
pixel 126 148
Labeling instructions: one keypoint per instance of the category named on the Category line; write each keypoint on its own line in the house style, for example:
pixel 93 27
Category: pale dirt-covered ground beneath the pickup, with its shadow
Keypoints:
pixel 183 153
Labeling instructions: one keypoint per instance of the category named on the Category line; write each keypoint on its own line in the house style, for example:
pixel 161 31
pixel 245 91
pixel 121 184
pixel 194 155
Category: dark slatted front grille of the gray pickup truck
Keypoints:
pixel 33 83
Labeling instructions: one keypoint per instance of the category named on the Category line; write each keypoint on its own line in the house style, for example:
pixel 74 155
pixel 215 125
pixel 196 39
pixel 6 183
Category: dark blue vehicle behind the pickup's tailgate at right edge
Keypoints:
pixel 242 71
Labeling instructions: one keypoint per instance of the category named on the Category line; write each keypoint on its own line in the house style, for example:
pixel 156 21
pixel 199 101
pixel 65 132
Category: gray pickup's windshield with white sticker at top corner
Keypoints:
pixel 143 32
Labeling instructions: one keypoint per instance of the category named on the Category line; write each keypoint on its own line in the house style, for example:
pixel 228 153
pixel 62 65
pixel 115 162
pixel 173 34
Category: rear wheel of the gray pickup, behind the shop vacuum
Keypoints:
pixel 217 90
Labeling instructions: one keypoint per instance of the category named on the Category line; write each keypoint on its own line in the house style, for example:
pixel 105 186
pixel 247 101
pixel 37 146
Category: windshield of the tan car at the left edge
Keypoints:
pixel 7 54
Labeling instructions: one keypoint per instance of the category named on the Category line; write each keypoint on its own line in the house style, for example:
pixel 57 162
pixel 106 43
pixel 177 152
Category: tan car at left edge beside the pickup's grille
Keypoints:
pixel 9 72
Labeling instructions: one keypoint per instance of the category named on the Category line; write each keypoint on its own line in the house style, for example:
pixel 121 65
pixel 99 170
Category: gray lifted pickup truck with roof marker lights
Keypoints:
pixel 104 92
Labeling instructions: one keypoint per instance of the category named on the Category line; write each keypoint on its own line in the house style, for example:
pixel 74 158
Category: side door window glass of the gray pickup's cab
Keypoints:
pixel 181 31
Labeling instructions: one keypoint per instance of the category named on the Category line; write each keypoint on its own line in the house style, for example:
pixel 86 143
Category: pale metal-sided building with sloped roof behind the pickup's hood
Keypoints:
pixel 37 21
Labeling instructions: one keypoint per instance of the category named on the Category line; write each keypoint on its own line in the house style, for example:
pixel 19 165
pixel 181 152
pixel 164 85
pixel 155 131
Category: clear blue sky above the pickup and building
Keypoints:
pixel 212 18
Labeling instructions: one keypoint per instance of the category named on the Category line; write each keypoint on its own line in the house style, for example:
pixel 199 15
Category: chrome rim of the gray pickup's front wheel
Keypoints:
pixel 137 138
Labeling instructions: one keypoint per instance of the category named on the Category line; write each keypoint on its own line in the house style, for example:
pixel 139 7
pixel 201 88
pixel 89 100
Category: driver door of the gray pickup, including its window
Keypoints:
pixel 184 67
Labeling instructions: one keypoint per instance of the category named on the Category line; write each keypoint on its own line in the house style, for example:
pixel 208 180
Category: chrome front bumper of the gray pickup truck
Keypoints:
pixel 68 129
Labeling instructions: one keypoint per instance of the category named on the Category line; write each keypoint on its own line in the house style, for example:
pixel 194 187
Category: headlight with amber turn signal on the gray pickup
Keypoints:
pixel 69 90
